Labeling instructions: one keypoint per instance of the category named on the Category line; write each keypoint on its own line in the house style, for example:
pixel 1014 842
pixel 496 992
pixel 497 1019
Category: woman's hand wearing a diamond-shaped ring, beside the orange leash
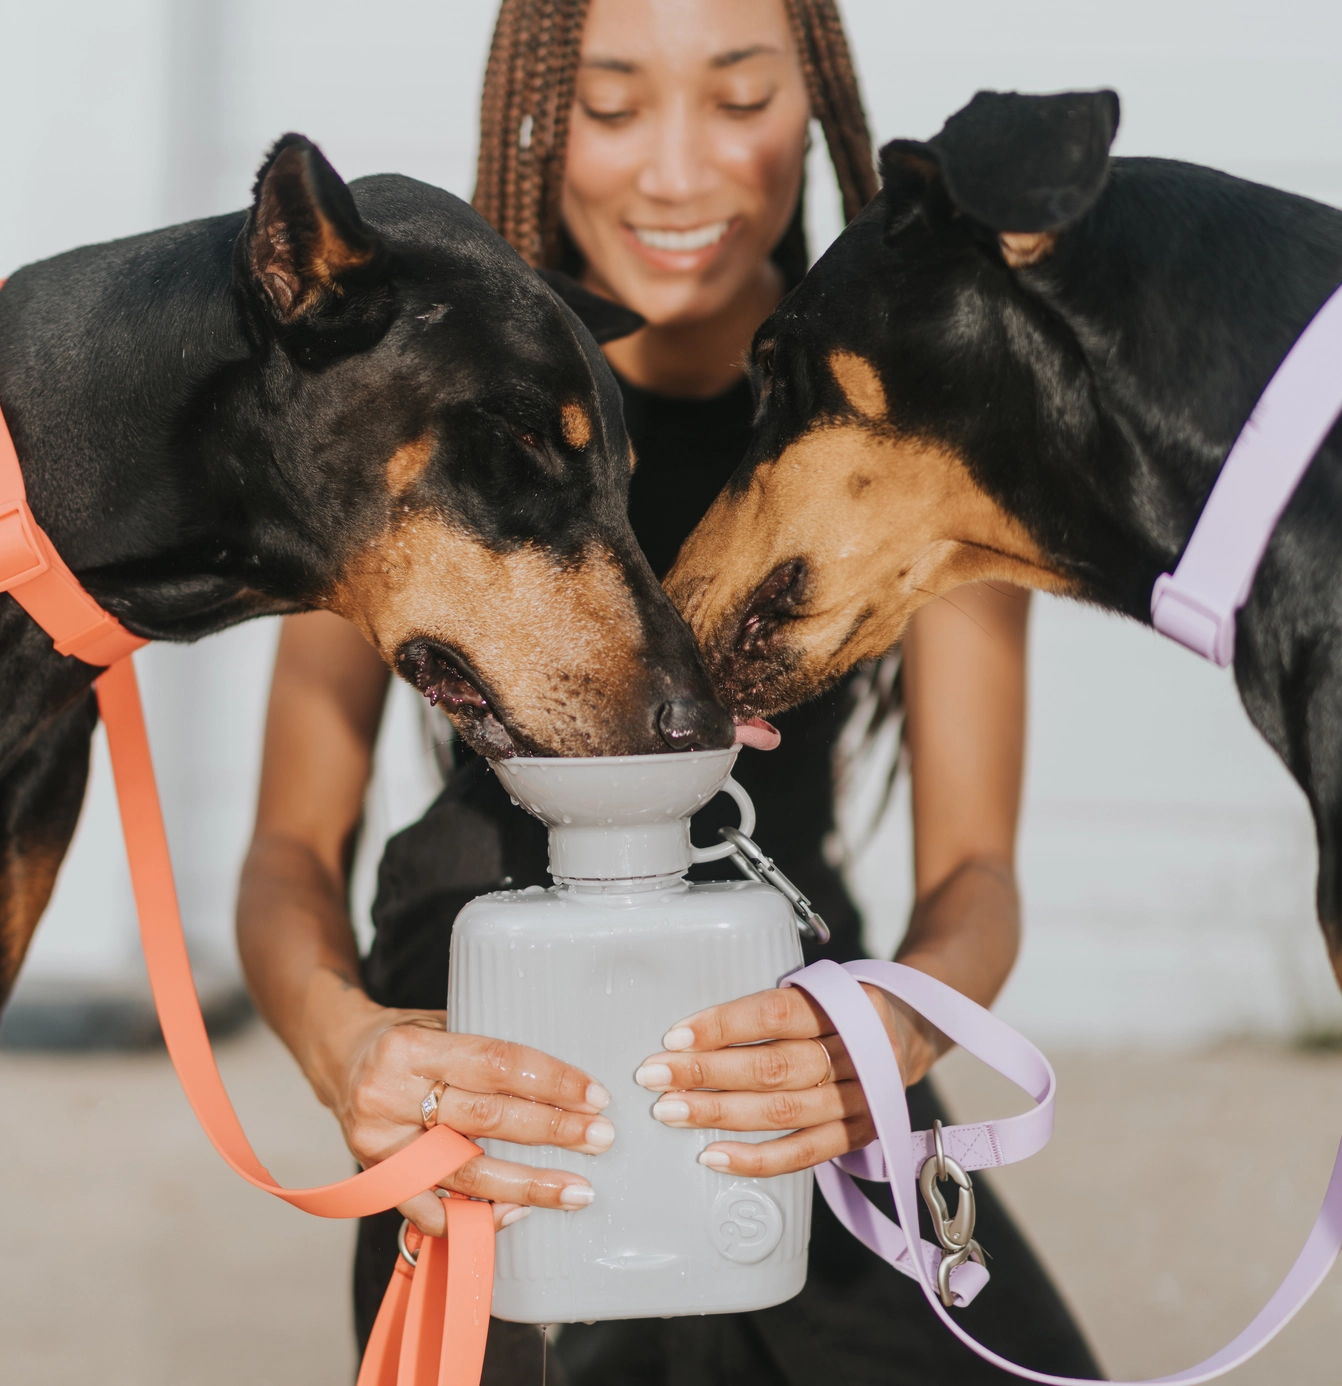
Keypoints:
pixel 382 1064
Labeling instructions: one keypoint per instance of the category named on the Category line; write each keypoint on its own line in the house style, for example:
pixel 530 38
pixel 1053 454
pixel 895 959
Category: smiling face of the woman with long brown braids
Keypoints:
pixel 686 150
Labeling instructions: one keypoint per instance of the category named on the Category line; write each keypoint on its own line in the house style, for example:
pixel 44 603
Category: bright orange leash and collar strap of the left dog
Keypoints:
pixel 433 1322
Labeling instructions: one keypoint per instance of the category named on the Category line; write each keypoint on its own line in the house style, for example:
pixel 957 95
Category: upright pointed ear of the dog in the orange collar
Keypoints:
pixel 306 245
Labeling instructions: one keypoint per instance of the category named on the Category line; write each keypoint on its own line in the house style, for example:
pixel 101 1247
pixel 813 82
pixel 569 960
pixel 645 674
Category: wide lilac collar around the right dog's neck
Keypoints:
pixel 1199 604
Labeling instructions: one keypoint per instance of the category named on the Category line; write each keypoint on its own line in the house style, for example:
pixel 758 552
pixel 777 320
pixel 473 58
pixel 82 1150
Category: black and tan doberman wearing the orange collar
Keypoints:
pixel 354 398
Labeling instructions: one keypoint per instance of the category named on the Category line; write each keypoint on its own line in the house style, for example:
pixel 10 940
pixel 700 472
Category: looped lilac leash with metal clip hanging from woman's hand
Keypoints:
pixel 902 1155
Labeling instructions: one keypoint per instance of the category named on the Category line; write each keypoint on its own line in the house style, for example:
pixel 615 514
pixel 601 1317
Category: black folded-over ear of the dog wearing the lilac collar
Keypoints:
pixel 1025 167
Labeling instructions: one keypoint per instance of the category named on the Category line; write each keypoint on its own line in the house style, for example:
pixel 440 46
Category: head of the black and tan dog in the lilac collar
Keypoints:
pixel 866 491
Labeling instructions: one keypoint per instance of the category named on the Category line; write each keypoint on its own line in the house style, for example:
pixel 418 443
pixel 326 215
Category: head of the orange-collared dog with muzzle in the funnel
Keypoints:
pixel 450 466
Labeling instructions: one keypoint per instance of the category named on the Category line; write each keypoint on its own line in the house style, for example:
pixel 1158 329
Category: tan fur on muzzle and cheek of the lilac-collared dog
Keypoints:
pixel 875 554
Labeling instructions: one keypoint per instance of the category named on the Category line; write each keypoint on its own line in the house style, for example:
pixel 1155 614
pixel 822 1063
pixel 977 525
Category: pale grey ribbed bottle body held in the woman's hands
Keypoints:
pixel 598 979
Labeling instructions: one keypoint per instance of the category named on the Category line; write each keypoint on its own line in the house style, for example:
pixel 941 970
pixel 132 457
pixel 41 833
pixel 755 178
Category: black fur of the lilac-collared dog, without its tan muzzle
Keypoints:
pixel 1095 396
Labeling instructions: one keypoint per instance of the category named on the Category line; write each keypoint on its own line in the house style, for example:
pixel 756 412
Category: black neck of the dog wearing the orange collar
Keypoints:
pixel 112 361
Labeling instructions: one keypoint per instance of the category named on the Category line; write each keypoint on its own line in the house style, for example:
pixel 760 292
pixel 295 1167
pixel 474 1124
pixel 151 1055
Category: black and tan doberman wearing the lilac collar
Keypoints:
pixel 1027 361
